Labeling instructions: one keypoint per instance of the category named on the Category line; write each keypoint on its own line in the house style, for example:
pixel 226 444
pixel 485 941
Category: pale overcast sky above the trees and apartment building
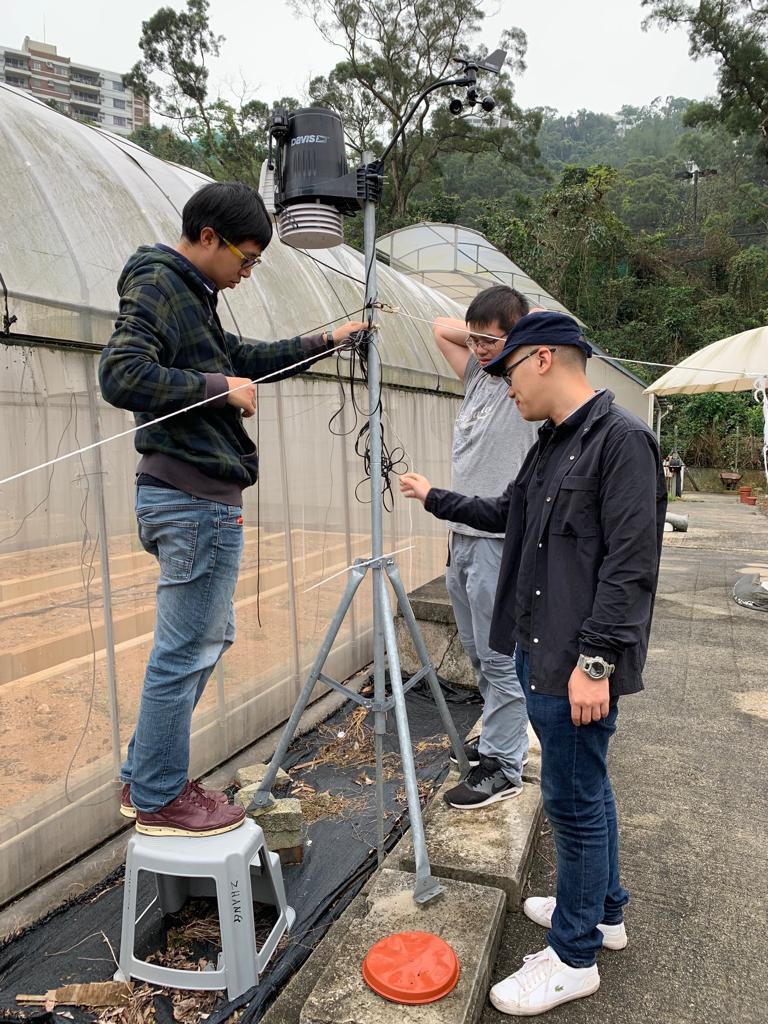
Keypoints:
pixel 588 55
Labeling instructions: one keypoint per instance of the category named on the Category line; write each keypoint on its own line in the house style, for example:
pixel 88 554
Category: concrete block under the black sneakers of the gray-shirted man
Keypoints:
pixel 492 846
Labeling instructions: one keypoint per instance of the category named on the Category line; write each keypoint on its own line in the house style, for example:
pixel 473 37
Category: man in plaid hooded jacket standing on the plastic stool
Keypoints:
pixel 168 352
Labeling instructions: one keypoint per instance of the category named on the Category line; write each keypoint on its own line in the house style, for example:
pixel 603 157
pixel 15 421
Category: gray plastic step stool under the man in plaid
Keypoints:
pixel 236 868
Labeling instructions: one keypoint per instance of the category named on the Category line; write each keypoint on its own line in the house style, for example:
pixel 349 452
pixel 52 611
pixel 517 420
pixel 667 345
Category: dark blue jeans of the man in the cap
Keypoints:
pixel 580 805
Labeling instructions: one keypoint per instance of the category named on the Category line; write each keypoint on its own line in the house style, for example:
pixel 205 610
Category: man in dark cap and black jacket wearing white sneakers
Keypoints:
pixel 583 523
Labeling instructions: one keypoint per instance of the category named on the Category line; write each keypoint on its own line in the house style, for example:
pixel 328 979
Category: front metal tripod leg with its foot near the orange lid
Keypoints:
pixel 426 887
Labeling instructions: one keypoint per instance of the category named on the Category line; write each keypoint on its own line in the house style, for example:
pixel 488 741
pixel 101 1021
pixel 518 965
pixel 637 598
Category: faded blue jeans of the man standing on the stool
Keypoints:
pixel 198 545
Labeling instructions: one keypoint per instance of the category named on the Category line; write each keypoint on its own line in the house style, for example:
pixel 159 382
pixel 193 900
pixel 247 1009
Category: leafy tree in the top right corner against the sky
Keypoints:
pixel 736 33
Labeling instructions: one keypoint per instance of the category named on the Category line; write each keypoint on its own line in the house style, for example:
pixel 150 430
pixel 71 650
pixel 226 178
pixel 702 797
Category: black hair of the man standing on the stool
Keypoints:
pixel 232 209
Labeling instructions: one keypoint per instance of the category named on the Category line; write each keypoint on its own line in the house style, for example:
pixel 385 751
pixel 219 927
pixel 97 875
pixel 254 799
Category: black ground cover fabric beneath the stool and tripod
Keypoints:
pixel 71 946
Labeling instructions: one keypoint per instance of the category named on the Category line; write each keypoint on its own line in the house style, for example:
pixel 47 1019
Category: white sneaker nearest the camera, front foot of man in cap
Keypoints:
pixel 543 983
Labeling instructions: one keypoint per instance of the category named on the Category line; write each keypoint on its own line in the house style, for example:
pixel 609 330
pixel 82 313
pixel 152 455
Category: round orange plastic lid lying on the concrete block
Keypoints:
pixel 412 968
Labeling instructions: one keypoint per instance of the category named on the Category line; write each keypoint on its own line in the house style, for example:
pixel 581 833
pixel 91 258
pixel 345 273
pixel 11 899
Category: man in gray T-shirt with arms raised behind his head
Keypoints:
pixel 491 441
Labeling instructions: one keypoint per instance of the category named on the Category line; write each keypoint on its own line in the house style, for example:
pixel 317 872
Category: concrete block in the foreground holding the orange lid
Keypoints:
pixel 470 918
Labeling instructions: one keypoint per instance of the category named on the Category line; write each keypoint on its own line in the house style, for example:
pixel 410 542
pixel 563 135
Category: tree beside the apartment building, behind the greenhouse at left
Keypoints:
pixel 228 141
